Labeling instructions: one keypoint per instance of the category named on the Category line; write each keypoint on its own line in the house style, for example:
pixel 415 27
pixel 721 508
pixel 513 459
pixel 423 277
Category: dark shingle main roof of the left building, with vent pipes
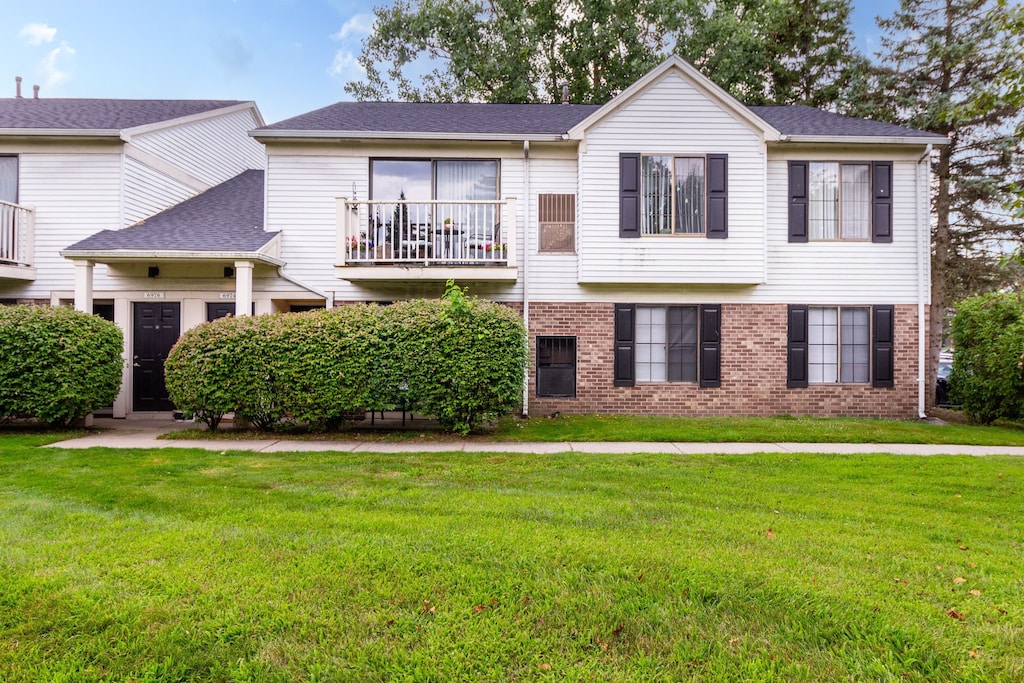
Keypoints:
pixel 66 114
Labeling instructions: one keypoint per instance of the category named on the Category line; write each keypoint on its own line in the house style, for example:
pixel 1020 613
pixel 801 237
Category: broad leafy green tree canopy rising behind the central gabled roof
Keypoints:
pixel 762 52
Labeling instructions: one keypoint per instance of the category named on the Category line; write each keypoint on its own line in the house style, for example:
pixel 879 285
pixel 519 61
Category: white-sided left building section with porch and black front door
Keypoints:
pixel 78 173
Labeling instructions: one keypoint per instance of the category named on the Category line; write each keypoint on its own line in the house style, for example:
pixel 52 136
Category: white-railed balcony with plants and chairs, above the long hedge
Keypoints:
pixel 438 240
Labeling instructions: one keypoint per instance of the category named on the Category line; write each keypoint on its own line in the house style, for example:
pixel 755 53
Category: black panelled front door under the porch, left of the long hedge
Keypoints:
pixel 157 328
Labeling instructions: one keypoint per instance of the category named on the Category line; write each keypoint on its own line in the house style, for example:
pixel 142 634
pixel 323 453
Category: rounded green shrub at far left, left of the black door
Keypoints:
pixel 57 364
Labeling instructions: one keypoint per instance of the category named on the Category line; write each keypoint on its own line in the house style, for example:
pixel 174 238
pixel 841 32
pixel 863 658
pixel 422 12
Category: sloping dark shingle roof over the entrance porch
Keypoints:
pixel 228 218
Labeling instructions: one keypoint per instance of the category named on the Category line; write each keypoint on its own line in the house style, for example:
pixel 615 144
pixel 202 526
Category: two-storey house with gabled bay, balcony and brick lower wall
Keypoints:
pixel 672 252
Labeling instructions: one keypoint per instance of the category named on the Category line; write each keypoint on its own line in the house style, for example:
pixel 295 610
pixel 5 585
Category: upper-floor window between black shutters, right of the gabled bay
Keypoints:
pixel 840 201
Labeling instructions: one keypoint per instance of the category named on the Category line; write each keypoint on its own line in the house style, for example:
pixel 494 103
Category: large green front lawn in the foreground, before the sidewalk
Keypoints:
pixel 188 566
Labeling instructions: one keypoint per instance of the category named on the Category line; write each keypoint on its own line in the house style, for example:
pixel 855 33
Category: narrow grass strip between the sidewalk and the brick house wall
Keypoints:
pixel 648 429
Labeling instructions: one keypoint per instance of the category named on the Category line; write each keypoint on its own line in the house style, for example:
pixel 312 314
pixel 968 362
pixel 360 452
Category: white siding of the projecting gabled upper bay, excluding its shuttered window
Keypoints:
pixel 672 118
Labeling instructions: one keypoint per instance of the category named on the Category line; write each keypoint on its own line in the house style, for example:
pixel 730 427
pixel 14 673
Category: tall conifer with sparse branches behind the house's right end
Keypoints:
pixel 956 68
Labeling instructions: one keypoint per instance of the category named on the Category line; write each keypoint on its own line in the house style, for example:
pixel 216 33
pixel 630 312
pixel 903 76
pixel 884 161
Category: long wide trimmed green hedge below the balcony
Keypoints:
pixel 458 359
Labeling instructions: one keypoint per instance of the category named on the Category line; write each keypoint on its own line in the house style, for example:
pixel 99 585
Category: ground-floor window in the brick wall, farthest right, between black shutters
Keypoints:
pixel 839 345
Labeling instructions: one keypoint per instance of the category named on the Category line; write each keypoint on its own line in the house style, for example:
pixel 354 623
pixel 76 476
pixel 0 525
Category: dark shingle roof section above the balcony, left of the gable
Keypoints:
pixel 441 118
